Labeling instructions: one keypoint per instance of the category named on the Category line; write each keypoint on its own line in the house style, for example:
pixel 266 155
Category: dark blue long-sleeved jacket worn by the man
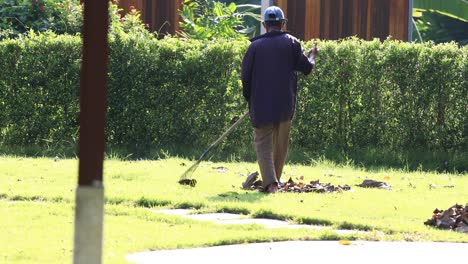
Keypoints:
pixel 269 78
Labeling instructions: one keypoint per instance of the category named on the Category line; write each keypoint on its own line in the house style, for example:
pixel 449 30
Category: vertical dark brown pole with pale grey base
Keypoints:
pixel 90 191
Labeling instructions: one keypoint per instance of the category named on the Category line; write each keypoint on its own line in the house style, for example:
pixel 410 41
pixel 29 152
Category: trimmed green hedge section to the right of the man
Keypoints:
pixel 390 94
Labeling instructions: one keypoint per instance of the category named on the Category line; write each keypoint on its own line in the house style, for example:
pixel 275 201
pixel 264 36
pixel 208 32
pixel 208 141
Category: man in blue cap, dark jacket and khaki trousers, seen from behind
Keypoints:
pixel 269 80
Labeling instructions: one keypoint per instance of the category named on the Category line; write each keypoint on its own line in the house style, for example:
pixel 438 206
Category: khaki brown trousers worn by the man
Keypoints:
pixel 271 144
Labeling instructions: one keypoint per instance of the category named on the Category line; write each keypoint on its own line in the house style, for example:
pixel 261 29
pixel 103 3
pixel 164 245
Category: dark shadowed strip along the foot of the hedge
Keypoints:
pixel 370 158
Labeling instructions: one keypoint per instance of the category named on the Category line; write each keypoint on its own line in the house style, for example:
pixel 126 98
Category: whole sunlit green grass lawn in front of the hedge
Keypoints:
pixel 37 206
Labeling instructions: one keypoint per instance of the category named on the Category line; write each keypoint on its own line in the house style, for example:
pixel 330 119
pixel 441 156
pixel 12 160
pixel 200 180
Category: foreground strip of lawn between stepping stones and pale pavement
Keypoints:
pixel 42 232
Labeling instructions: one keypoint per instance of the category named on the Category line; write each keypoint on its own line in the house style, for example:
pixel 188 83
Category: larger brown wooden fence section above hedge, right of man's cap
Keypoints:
pixel 335 19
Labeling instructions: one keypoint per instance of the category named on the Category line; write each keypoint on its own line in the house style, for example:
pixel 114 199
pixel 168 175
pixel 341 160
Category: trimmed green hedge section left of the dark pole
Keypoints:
pixel 39 84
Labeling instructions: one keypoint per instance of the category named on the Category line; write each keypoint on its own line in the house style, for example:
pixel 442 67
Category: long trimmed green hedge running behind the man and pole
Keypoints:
pixel 185 93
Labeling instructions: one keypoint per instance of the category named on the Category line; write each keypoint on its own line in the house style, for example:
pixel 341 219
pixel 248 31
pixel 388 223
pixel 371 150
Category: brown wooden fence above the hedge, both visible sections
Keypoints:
pixel 324 19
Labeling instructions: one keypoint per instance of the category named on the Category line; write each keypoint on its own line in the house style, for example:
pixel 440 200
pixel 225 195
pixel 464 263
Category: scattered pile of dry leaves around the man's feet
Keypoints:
pixel 252 183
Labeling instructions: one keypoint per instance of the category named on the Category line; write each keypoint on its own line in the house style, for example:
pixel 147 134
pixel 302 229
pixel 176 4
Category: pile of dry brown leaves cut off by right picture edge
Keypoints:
pixel 454 218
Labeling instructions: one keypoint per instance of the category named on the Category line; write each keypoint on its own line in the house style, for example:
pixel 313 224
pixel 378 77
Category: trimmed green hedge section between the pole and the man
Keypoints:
pixel 167 91
